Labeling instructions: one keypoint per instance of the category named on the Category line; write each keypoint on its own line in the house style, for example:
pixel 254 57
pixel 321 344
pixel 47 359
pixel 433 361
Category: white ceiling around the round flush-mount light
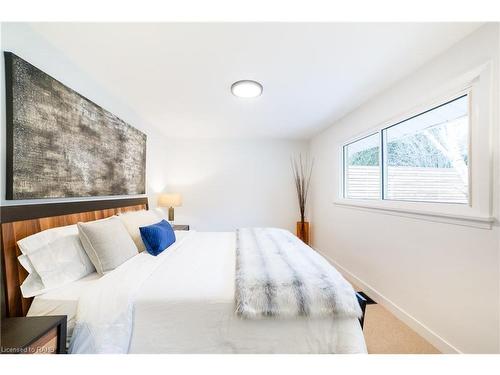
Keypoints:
pixel 177 76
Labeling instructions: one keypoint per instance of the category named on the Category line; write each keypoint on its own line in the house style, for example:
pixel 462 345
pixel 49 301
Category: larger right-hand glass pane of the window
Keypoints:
pixel 427 155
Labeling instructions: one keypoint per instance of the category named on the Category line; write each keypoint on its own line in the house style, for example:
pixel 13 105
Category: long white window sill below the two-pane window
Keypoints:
pixel 476 221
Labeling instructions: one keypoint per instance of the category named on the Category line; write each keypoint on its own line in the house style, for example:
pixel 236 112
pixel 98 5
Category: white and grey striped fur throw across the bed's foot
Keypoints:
pixel 277 275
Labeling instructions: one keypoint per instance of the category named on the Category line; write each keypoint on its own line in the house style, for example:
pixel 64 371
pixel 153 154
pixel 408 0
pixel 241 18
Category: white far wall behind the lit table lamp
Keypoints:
pixel 229 184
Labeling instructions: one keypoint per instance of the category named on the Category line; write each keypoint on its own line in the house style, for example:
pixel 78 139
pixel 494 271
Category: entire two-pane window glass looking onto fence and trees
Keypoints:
pixel 425 158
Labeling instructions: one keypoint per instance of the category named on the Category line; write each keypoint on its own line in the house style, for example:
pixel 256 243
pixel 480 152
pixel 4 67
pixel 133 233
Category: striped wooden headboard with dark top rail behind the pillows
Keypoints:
pixel 18 222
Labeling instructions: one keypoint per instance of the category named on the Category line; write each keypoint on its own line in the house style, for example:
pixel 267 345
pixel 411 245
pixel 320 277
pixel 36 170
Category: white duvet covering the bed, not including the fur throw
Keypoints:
pixel 183 302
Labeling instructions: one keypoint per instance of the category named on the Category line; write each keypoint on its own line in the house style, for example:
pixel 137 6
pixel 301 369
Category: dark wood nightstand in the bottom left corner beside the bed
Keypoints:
pixel 34 335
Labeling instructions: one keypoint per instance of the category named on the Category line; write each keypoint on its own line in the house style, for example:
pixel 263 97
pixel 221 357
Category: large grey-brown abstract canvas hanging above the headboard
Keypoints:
pixel 60 144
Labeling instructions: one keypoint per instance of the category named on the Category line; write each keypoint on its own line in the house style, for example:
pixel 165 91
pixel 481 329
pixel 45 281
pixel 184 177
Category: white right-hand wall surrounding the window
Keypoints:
pixel 442 279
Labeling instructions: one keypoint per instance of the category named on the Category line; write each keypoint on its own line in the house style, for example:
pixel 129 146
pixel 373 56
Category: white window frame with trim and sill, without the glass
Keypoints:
pixel 478 85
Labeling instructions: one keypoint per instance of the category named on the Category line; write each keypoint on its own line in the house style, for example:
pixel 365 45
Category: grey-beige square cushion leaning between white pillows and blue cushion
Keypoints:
pixel 107 243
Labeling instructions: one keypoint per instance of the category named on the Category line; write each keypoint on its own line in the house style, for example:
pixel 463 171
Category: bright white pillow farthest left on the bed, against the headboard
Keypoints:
pixel 53 257
